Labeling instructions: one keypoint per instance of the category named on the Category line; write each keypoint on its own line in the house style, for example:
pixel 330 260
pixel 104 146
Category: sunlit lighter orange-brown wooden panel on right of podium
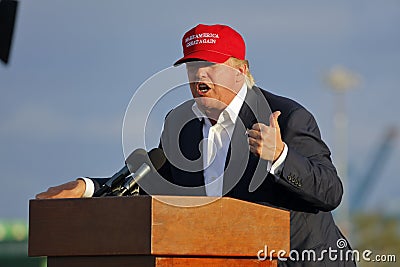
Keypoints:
pixel 223 227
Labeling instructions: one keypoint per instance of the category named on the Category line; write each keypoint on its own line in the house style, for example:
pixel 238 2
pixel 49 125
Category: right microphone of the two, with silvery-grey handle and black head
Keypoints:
pixel 157 160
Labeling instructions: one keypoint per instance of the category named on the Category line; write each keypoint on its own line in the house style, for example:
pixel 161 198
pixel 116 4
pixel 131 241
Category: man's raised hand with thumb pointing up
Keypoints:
pixel 265 141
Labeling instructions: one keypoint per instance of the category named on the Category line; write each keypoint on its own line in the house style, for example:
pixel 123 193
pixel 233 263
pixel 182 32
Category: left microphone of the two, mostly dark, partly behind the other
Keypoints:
pixel 131 165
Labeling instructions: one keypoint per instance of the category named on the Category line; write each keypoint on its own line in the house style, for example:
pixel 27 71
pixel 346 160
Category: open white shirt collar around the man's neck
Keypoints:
pixel 232 109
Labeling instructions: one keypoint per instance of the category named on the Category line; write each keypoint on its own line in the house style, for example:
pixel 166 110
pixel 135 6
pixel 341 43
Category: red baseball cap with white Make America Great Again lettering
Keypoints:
pixel 213 43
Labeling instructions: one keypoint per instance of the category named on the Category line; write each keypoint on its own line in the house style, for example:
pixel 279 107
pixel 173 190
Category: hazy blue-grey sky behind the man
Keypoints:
pixel 76 64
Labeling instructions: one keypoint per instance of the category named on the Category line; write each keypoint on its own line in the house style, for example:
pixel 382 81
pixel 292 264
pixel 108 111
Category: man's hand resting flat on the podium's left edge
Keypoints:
pixel 73 189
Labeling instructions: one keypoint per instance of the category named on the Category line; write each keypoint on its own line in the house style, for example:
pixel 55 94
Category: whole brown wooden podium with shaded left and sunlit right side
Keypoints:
pixel 162 231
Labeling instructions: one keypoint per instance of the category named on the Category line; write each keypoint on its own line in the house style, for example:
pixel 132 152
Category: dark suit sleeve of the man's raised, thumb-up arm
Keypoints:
pixel 308 171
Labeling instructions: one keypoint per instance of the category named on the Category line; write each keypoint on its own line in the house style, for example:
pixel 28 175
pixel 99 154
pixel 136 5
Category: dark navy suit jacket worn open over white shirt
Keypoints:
pixel 308 185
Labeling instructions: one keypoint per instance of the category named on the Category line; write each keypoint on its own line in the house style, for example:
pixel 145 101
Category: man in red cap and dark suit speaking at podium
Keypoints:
pixel 235 139
